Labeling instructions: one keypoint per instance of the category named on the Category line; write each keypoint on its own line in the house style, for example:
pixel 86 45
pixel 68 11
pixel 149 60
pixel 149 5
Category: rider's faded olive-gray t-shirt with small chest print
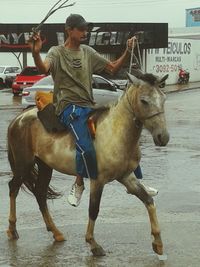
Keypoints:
pixel 72 74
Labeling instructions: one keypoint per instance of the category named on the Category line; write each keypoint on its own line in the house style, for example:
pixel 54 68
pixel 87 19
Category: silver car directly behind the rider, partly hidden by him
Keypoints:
pixel 104 90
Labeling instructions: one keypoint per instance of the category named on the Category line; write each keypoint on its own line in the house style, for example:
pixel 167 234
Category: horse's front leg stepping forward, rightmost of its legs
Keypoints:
pixel 135 188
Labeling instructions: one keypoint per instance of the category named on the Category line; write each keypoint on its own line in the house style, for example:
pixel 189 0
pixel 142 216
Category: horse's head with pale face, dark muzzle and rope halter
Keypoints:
pixel 147 102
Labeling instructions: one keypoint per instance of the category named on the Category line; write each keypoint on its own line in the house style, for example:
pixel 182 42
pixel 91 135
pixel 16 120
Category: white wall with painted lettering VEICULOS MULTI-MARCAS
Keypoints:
pixel 180 52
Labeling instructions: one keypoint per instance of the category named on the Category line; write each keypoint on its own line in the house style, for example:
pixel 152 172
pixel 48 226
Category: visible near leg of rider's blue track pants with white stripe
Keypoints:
pixel 75 118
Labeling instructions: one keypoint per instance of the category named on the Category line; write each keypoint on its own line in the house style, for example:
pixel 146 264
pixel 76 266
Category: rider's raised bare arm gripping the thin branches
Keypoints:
pixel 35 44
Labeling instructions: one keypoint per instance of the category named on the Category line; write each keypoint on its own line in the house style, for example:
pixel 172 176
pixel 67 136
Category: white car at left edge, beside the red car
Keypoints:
pixel 8 74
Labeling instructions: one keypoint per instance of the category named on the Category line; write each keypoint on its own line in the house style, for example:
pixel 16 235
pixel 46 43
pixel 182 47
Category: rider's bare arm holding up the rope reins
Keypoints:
pixel 113 66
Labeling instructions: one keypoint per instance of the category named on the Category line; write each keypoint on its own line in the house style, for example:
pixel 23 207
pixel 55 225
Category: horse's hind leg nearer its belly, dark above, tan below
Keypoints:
pixel 41 188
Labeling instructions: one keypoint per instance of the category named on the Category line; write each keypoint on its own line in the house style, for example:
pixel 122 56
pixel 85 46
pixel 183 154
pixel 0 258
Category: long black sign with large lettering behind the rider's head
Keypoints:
pixel 104 37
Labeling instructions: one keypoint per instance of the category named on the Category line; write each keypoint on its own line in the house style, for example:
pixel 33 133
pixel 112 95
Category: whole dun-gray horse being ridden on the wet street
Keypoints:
pixel 34 153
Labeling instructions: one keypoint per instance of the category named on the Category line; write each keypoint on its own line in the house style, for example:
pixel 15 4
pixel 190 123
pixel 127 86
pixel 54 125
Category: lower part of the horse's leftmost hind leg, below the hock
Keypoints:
pixel 14 186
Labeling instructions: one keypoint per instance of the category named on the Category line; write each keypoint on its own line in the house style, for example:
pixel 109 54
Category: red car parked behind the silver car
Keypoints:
pixel 26 78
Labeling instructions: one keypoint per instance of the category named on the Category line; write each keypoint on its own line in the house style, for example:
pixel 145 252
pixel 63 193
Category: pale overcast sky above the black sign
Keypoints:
pixel 168 11
